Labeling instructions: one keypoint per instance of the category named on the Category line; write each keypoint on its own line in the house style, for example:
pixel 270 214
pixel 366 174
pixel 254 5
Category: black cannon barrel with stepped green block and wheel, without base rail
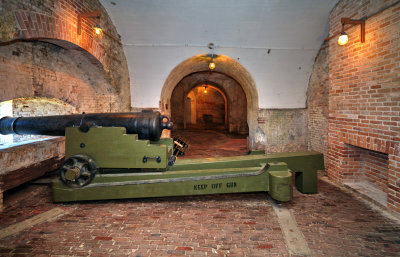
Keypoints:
pixel 99 141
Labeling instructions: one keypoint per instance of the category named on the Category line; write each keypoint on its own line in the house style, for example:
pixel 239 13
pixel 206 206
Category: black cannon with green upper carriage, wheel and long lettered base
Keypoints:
pixel 122 155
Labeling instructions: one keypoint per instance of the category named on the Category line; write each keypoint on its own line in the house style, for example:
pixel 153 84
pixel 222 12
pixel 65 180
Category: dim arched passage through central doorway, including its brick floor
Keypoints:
pixel 209 110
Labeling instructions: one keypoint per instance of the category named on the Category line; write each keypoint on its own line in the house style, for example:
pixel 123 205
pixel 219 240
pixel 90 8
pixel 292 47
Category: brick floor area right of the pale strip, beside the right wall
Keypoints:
pixel 337 223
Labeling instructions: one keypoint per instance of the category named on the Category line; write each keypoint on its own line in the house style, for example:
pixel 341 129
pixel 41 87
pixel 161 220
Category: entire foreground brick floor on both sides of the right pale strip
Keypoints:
pixel 334 223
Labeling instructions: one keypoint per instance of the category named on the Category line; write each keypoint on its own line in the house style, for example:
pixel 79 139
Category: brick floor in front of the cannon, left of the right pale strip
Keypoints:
pixel 238 225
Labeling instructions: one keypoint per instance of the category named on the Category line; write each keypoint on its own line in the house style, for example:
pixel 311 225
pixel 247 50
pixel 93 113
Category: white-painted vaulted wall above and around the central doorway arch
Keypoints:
pixel 275 40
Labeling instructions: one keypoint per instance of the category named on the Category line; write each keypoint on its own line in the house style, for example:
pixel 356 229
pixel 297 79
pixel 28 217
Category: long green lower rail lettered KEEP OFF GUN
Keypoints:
pixel 250 179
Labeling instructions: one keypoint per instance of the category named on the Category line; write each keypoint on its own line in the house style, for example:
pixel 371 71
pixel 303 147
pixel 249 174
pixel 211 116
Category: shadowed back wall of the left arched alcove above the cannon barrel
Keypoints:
pixel 57 70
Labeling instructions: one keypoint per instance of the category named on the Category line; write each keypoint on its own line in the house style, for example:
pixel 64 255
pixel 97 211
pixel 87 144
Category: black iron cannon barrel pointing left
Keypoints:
pixel 147 124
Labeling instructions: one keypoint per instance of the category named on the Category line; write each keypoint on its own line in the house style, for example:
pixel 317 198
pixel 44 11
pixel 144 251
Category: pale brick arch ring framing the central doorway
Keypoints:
pixel 225 65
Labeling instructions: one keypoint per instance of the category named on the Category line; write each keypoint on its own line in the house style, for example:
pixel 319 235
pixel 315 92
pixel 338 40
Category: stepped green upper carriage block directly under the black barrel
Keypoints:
pixel 110 147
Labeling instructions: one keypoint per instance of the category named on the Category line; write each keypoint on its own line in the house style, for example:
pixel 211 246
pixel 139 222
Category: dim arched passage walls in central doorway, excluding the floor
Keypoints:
pixel 209 100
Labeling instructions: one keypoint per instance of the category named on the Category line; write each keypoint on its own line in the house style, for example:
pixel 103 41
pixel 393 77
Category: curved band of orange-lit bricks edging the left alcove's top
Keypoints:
pixel 38 26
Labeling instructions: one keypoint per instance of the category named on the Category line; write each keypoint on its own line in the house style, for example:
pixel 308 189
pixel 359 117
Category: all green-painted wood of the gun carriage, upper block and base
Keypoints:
pixel 119 158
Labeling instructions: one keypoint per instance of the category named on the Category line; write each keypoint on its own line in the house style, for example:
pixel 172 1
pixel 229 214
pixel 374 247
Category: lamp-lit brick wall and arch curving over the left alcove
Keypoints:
pixel 56 23
